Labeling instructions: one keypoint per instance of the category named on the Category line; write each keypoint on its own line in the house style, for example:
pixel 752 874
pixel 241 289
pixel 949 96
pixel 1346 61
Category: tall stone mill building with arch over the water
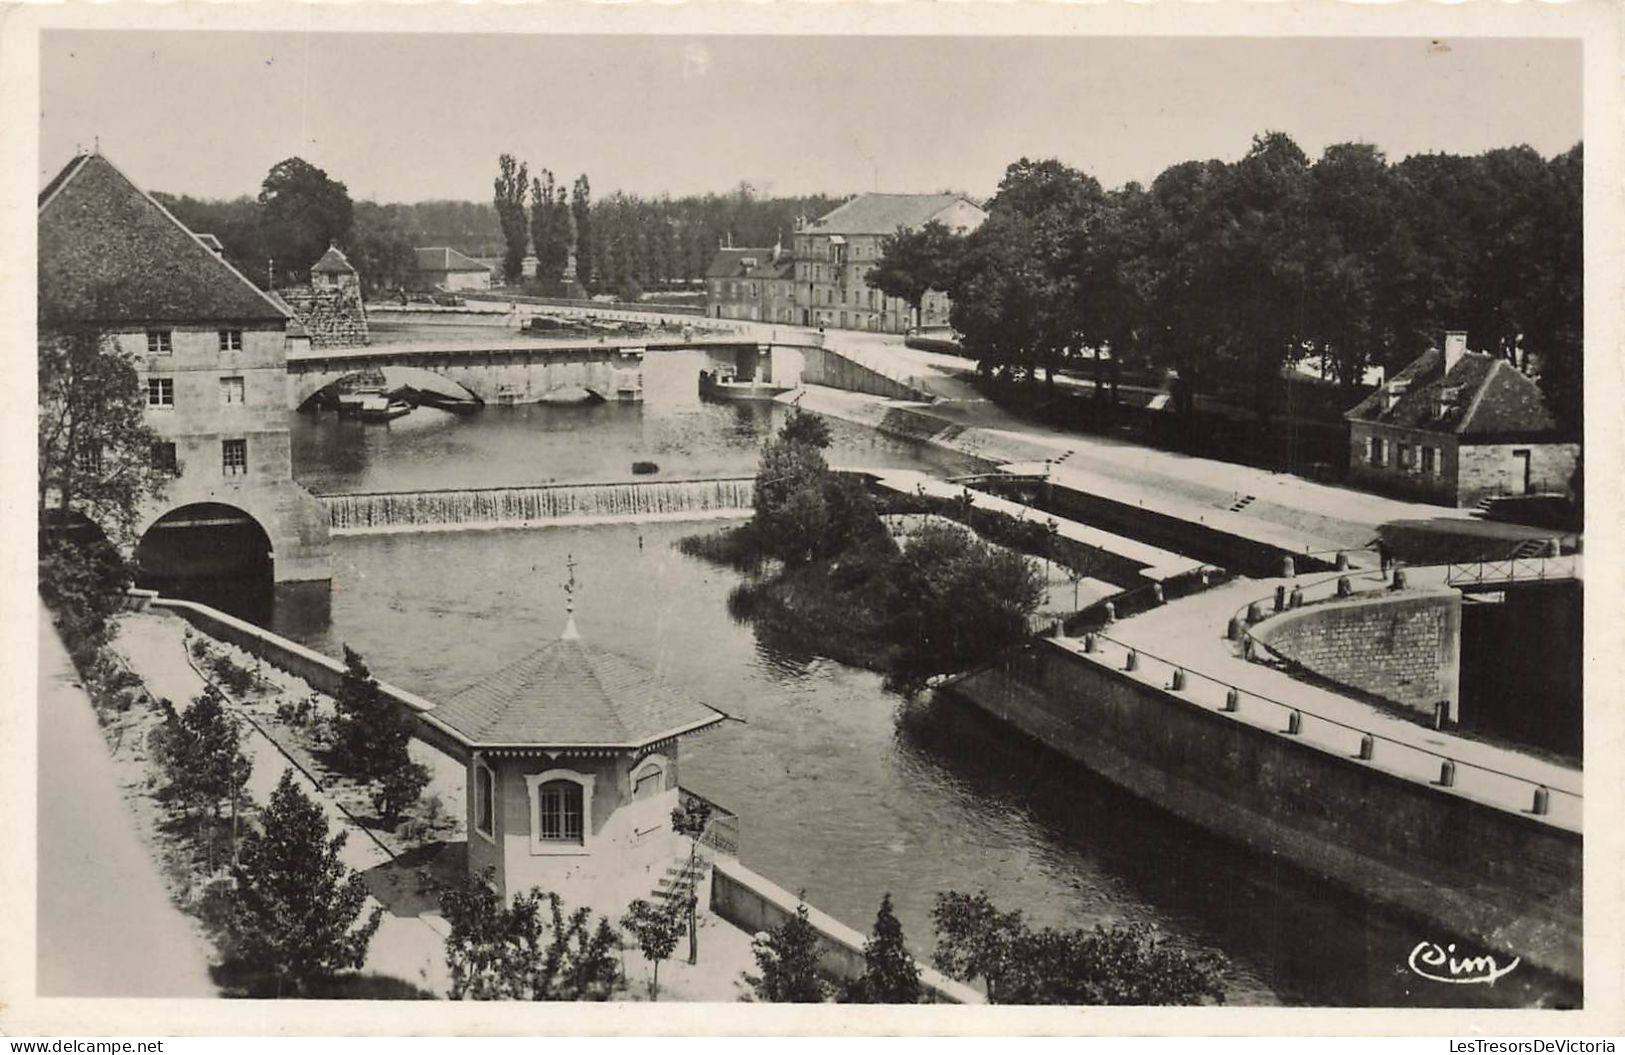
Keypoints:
pixel 210 355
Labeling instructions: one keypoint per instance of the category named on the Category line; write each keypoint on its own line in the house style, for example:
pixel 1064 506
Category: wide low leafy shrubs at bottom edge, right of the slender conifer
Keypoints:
pixel 1086 966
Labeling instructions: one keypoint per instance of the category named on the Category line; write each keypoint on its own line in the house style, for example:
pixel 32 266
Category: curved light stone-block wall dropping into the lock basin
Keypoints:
pixel 1400 646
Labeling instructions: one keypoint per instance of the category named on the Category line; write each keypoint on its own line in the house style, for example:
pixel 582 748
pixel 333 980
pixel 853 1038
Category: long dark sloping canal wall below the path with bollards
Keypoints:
pixel 1504 880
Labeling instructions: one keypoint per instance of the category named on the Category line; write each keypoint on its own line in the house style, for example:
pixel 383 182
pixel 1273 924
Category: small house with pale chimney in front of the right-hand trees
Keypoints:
pixel 1455 428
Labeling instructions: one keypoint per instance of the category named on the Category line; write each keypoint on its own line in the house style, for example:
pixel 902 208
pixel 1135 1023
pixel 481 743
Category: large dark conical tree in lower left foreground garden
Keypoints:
pixel 293 919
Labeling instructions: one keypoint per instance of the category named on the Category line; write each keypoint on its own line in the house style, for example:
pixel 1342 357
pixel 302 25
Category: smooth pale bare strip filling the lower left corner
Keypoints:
pixel 106 924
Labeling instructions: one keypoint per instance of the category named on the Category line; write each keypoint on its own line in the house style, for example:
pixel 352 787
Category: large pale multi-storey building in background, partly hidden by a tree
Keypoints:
pixel 836 253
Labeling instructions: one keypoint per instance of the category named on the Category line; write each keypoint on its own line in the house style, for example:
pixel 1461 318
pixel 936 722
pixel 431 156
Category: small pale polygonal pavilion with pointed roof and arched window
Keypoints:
pixel 573 771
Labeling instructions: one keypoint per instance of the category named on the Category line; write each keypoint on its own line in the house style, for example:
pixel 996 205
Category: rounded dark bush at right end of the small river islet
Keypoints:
pixel 956 601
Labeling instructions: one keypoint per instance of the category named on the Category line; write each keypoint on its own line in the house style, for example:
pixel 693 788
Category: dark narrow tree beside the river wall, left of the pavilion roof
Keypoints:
pixel 371 734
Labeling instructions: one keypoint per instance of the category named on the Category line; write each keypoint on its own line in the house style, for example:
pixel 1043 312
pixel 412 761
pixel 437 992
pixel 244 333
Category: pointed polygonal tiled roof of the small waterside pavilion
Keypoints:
pixel 570 695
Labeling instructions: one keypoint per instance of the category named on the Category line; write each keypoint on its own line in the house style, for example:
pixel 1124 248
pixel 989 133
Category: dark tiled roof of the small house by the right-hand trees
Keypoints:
pixel 1483 396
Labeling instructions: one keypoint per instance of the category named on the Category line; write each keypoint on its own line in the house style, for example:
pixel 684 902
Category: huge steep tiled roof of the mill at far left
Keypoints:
pixel 111 254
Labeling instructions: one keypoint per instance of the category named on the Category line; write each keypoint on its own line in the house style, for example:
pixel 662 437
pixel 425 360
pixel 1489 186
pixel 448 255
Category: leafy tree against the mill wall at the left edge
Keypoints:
pixel 95 449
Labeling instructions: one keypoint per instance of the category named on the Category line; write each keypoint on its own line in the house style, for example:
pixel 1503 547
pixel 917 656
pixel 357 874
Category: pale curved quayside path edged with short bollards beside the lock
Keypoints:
pixel 1190 635
